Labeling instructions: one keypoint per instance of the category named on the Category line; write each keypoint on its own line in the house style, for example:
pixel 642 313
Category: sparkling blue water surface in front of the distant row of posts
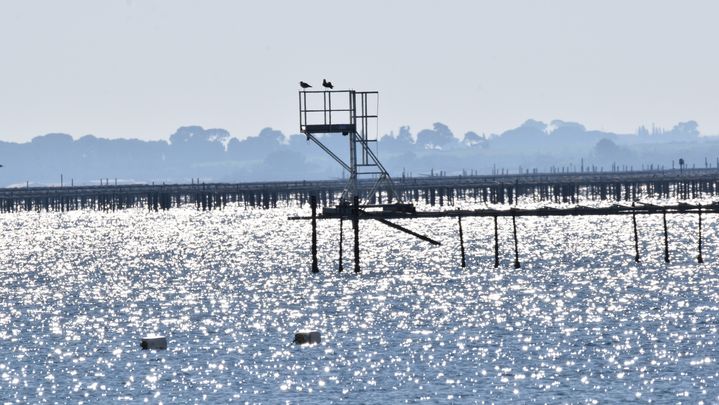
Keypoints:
pixel 579 322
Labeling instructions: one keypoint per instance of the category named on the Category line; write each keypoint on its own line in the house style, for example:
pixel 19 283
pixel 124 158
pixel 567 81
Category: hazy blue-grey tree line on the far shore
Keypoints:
pixel 213 155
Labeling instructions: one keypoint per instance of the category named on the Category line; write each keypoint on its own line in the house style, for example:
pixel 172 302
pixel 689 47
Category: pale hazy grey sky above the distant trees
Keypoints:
pixel 121 68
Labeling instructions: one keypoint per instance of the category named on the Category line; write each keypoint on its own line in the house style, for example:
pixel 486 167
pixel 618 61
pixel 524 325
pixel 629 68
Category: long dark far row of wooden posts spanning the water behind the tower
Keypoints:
pixel 502 190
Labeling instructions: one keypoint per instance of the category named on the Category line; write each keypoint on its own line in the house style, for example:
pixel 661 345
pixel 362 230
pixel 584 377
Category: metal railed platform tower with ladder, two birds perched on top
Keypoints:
pixel 354 115
